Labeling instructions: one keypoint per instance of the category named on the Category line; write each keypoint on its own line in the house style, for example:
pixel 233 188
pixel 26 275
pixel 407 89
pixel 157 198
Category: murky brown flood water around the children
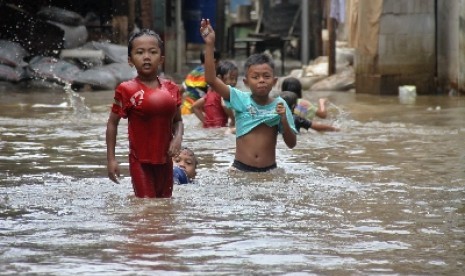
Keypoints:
pixel 384 196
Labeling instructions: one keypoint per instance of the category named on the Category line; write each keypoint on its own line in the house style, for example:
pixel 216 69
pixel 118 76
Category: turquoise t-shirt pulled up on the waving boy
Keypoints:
pixel 249 114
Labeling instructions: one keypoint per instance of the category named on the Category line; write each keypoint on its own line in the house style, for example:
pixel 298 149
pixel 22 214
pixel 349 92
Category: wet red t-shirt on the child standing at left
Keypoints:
pixel 150 114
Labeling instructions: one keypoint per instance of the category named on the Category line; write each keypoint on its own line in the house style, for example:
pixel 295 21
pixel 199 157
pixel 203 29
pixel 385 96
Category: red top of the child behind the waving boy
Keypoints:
pixel 214 112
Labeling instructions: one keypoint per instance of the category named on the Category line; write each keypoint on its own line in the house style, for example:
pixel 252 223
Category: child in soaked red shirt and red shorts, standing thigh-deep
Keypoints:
pixel 155 128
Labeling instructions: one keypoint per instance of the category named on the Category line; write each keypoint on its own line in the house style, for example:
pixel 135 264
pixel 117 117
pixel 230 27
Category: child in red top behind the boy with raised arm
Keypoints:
pixel 211 109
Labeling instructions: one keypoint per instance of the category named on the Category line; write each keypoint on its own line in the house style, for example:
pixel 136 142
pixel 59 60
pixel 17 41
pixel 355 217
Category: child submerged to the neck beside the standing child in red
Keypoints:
pixel 184 167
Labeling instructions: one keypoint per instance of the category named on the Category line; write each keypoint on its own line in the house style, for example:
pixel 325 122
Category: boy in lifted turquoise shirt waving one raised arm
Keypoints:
pixel 259 117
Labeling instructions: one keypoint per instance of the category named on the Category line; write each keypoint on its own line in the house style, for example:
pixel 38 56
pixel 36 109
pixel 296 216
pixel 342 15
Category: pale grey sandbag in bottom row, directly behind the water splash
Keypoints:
pixel 53 69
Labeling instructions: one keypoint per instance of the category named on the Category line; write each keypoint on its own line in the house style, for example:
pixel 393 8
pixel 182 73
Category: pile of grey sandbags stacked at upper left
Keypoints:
pixel 104 71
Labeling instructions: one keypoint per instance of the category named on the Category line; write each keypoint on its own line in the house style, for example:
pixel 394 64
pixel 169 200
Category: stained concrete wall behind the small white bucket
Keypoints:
pixel 406 50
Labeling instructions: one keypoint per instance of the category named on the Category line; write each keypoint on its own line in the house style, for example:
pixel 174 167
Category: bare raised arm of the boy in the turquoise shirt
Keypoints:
pixel 208 34
